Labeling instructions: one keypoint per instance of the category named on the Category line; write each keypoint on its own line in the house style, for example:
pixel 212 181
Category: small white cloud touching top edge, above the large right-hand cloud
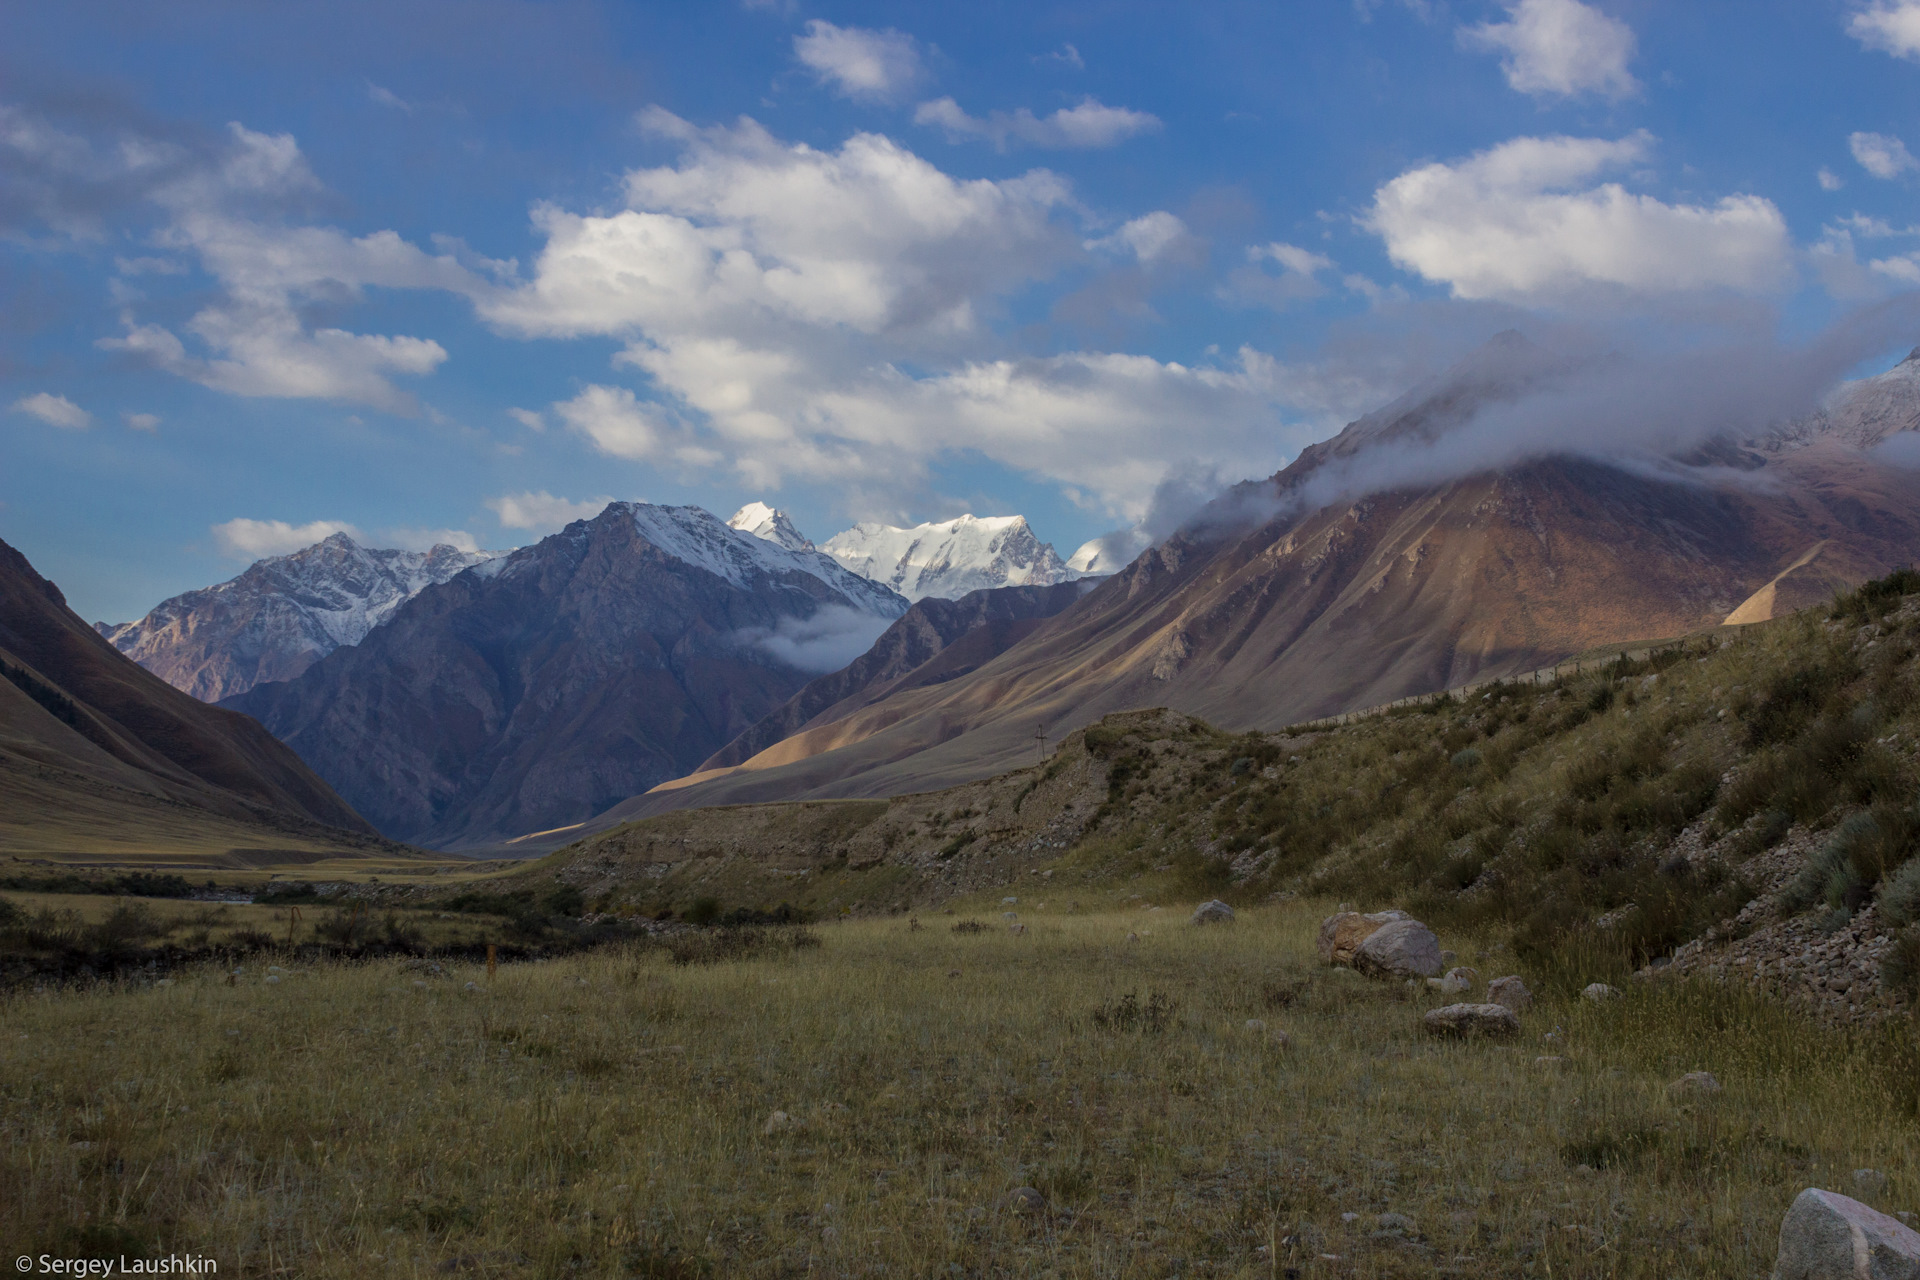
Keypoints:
pixel 1560 47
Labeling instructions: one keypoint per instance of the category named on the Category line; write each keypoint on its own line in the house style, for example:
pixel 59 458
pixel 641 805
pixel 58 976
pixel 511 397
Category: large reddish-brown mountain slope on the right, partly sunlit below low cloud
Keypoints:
pixel 1395 594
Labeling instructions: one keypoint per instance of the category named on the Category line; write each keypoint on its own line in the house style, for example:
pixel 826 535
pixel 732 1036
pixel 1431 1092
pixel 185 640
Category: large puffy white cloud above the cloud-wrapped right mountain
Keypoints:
pixel 1525 222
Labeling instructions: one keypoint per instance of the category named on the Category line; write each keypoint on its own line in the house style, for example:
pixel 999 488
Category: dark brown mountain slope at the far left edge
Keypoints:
pixel 84 730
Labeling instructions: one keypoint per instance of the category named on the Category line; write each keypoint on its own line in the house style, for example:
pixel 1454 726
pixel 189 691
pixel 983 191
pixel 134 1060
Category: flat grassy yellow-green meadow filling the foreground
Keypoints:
pixel 613 1114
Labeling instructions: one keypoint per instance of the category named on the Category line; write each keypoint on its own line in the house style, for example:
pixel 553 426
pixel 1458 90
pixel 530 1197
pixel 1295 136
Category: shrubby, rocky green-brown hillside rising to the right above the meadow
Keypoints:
pixel 1742 794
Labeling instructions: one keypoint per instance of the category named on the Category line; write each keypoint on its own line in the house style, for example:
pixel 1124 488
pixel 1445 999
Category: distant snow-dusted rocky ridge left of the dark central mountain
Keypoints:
pixel 281 615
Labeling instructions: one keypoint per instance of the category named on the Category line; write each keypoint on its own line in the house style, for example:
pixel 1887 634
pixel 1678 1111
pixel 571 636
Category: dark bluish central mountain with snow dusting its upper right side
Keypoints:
pixel 540 688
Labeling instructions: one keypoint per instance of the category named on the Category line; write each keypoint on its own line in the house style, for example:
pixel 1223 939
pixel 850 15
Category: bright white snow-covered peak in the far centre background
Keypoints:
pixel 949 557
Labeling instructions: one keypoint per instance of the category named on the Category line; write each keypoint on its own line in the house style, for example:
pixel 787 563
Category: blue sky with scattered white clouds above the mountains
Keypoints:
pixel 468 270
